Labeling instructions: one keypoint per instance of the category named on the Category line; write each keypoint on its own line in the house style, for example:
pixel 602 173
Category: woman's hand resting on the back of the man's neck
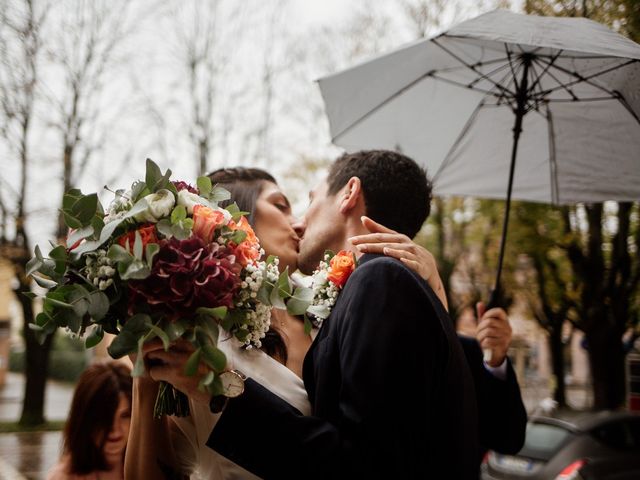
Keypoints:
pixel 384 241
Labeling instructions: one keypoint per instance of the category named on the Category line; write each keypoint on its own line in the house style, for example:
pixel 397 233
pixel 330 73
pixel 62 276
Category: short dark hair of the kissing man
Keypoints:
pixel 397 192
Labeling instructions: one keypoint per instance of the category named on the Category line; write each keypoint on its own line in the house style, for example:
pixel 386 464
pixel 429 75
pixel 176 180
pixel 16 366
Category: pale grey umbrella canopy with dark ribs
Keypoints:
pixel 452 103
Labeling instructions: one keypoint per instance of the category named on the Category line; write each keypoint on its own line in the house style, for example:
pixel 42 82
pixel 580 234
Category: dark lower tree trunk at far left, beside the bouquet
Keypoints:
pixel 36 365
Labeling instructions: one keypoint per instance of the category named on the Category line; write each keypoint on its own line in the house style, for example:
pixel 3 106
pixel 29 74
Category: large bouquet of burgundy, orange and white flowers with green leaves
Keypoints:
pixel 163 261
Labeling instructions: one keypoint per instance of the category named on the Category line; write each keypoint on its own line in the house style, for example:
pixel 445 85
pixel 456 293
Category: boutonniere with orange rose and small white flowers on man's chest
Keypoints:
pixel 327 281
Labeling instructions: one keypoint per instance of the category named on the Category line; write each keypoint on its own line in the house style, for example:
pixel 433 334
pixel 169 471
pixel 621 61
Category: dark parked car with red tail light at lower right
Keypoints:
pixel 598 446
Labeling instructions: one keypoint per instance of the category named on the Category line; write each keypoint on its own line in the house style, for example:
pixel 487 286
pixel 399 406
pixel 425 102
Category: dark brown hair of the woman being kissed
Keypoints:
pixel 245 186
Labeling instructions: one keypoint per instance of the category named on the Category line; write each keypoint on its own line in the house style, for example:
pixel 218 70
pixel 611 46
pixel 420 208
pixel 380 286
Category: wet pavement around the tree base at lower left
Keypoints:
pixel 29 455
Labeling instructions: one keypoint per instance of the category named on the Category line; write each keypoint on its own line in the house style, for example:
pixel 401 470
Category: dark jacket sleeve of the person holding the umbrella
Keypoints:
pixel 502 417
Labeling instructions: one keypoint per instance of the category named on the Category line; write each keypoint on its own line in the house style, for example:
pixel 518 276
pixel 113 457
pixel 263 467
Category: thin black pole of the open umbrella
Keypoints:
pixel 495 299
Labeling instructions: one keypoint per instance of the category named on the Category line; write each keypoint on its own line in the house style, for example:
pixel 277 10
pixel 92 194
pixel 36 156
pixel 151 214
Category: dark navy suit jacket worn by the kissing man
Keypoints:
pixel 391 392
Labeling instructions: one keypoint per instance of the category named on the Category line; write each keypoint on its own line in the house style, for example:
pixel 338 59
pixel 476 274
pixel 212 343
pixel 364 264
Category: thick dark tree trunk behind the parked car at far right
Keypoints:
pixel 606 359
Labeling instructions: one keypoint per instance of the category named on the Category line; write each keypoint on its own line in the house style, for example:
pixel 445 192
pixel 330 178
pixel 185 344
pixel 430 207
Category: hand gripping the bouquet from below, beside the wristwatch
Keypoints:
pixel 168 366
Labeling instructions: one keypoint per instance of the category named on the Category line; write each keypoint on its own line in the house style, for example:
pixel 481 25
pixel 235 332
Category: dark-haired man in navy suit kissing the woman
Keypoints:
pixel 391 392
